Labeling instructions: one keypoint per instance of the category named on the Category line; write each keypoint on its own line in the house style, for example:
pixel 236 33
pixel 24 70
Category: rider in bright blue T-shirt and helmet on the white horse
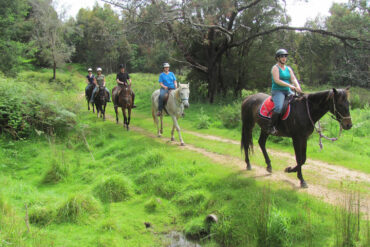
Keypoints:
pixel 167 81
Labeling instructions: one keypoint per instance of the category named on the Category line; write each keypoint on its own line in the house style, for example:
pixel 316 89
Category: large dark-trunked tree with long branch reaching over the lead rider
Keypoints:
pixel 206 31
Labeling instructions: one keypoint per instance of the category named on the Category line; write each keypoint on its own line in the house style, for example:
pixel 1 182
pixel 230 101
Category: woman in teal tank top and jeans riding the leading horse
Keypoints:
pixel 283 82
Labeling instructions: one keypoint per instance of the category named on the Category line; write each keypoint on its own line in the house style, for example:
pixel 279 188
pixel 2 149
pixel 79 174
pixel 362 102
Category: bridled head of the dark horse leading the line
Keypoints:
pixel 340 107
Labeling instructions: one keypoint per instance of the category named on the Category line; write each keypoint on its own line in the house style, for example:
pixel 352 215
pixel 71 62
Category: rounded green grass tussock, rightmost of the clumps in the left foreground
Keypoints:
pixel 114 189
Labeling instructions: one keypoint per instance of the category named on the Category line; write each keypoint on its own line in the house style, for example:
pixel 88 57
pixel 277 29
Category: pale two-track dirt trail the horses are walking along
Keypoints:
pixel 332 196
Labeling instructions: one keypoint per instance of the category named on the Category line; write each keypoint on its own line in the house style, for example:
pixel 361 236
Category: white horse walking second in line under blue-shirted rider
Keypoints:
pixel 178 99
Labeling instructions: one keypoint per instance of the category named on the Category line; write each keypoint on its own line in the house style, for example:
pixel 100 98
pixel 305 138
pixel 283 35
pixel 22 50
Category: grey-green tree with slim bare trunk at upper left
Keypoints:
pixel 49 37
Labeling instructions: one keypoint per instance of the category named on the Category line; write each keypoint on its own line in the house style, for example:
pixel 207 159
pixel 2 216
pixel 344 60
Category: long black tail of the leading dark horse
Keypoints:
pixel 247 127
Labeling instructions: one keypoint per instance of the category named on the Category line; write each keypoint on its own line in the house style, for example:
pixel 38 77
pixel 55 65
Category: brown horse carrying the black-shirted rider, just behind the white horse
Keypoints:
pixel 122 98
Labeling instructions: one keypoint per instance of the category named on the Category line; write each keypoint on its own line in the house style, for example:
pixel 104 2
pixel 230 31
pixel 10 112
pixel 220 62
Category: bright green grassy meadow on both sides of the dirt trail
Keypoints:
pixel 91 183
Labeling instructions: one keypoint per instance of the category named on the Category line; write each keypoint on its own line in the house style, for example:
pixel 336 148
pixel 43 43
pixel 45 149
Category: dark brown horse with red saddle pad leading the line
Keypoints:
pixel 305 111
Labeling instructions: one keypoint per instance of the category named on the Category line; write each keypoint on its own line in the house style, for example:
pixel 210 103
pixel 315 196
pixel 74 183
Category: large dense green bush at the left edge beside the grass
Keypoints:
pixel 24 108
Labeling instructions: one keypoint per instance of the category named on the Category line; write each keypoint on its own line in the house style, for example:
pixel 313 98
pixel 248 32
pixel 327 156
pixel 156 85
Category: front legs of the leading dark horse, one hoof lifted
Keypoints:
pixel 300 147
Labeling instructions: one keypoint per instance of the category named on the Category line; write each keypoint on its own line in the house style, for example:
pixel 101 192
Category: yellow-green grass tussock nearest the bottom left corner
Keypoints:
pixel 76 207
